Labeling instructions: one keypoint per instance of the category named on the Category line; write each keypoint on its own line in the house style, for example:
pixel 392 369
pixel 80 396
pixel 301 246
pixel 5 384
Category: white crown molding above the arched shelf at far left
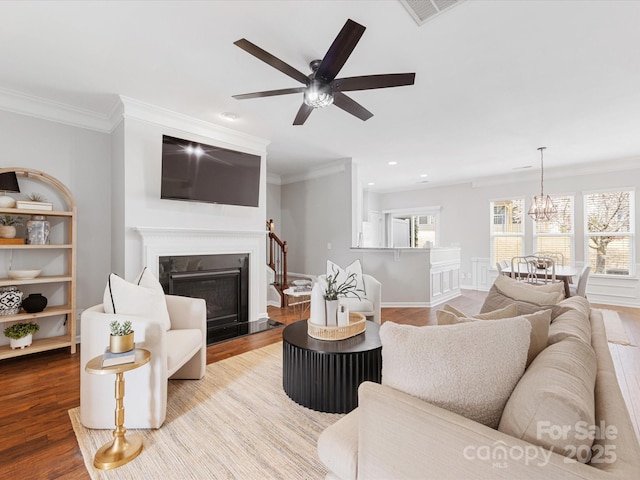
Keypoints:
pixel 38 107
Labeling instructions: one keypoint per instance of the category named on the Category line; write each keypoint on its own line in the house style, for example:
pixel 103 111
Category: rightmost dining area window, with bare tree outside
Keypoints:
pixel 609 232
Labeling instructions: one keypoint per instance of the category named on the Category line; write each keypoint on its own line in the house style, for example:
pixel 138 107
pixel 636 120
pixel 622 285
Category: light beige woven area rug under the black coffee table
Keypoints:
pixel 236 423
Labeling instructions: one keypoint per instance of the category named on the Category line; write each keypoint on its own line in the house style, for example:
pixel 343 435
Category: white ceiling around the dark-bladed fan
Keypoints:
pixel 494 79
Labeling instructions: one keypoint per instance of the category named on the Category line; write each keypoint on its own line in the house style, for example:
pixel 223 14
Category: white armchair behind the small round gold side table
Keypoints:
pixel 177 353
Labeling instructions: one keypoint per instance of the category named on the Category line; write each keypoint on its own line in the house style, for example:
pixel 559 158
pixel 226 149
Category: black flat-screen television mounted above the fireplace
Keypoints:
pixel 203 173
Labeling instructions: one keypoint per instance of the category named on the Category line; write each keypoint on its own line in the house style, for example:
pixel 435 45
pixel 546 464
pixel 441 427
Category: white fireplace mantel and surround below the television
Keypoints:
pixel 162 241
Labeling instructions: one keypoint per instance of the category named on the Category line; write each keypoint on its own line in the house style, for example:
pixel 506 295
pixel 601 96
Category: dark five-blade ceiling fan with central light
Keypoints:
pixel 321 87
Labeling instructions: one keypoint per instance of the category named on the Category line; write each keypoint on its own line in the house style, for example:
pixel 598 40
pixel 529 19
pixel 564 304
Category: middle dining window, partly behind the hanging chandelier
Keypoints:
pixel 557 236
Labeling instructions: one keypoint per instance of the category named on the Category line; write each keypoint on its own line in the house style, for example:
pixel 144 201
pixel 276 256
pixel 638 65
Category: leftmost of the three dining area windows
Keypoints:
pixel 507 229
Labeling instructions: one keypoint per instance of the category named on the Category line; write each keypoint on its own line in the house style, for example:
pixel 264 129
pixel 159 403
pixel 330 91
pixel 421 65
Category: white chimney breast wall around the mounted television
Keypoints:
pixel 137 178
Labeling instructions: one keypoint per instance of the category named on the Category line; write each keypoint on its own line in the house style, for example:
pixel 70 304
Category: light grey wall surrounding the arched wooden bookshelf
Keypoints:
pixel 80 159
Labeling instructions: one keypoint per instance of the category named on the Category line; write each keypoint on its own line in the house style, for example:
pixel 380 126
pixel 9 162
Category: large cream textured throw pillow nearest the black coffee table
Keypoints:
pixel 469 368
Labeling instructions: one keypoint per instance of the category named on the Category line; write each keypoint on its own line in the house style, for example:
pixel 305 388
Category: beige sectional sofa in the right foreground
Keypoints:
pixel 568 395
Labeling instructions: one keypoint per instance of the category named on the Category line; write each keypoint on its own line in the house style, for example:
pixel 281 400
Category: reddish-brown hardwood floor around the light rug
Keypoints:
pixel 37 441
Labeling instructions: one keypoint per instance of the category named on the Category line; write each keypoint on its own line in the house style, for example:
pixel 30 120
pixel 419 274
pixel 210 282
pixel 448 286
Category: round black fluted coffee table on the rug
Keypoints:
pixel 324 375
